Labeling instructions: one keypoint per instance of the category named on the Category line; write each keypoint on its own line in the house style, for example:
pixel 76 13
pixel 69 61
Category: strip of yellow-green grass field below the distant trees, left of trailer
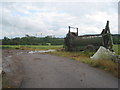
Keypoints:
pixel 32 47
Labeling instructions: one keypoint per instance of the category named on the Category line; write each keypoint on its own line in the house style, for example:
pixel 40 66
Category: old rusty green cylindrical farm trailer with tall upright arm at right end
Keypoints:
pixel 73 42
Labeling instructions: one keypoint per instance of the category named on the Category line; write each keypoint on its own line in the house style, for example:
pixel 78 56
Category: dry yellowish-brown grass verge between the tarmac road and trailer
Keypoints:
pixel 106 65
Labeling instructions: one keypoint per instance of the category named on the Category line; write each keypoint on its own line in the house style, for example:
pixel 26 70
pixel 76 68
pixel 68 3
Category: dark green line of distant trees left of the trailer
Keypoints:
pixel 30 40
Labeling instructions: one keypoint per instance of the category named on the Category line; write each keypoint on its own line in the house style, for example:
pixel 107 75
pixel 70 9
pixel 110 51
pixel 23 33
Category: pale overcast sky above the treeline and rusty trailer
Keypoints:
pixel 53 18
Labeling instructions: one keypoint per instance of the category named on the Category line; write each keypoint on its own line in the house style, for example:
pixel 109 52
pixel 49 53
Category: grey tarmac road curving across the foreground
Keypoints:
pixel 49 71
